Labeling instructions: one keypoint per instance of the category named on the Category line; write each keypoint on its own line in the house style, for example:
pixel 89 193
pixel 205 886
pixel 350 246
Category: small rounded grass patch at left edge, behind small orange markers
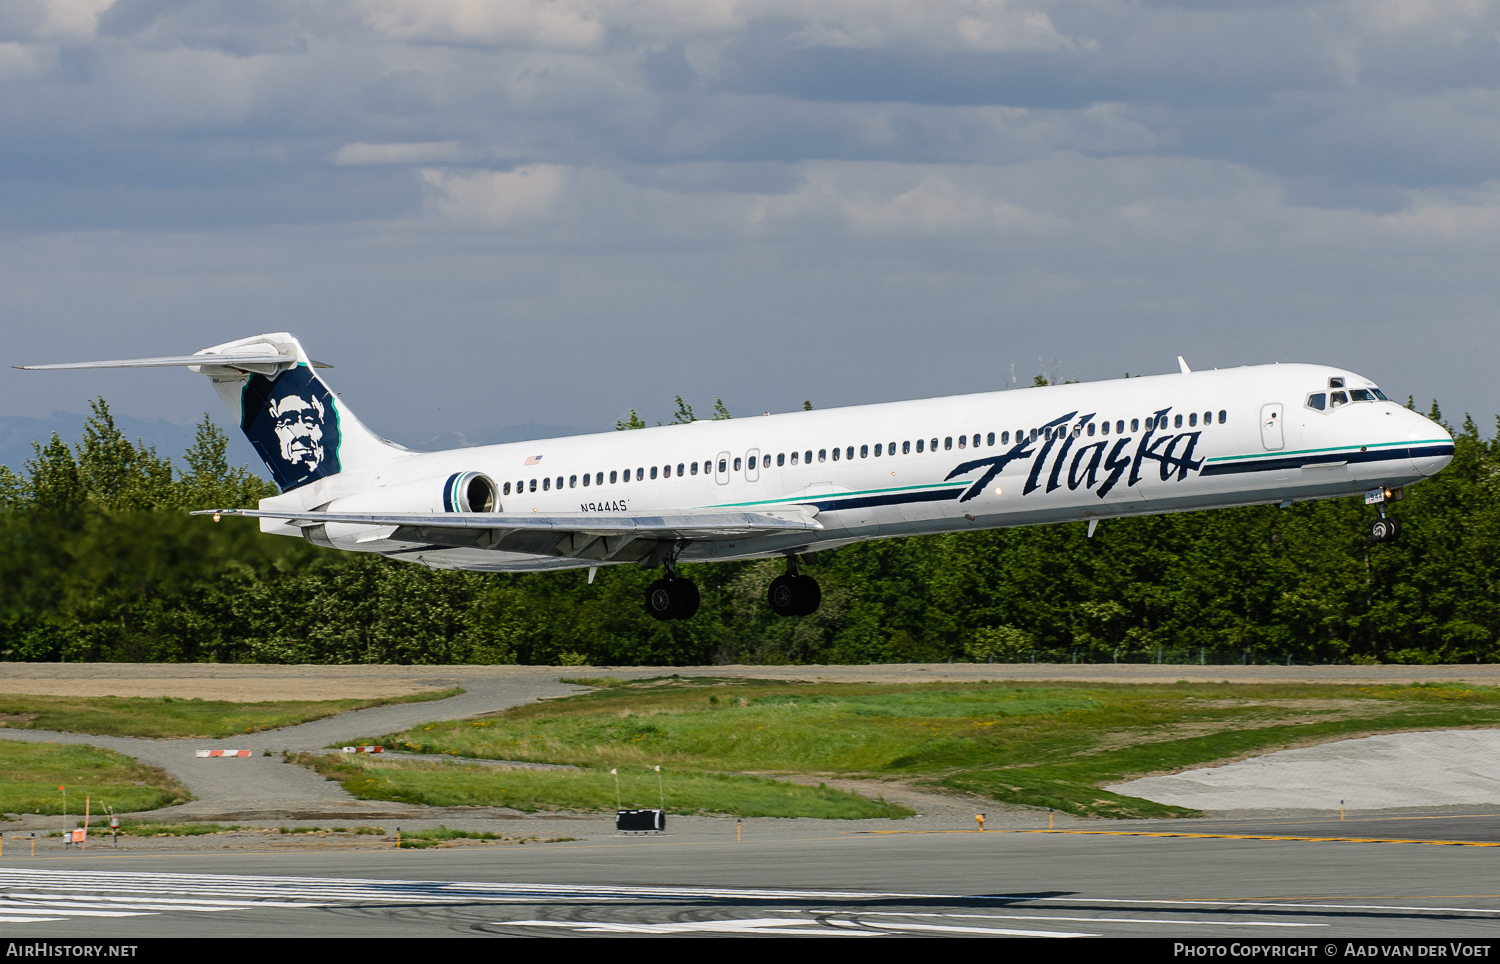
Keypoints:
pixel 32 773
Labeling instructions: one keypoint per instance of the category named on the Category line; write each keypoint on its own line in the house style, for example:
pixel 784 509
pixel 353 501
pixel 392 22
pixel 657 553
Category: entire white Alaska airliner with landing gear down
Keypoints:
pixel 794 485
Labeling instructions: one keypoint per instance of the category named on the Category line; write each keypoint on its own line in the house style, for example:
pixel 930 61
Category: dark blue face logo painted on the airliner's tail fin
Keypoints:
pixel 295 427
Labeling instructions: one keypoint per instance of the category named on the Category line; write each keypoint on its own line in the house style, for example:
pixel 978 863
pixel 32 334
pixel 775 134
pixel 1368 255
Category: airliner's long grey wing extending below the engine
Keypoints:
pixel 613 537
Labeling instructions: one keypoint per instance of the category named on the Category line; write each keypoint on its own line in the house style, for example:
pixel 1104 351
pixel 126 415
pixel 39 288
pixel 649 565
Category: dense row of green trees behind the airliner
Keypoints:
pixel 100 561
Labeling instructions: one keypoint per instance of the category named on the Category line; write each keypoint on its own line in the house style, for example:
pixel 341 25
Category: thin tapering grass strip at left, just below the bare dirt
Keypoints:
pixel 170 717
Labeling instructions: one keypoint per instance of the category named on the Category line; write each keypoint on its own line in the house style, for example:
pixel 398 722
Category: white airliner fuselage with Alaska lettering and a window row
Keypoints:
pixel 1060 454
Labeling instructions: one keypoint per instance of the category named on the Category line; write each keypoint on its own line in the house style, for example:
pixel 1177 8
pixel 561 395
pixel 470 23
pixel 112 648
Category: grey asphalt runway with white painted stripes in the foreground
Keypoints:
pixel 1222 882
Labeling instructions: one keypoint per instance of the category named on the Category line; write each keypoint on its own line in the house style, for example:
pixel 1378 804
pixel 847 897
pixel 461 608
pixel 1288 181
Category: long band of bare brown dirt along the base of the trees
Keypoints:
pixel 257 683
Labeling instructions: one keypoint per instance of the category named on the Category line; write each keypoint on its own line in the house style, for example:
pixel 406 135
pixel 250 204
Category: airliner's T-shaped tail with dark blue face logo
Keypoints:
pixel 271 386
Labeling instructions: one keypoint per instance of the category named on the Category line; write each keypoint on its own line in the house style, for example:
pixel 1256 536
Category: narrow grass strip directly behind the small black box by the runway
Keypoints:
pixel 593 789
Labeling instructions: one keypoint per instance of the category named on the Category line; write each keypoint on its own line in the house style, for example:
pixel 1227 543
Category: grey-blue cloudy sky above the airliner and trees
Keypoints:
pixel 494 212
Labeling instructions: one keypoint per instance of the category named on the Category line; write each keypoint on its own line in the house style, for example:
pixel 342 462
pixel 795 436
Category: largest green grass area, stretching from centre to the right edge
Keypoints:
pixel 1036 744
